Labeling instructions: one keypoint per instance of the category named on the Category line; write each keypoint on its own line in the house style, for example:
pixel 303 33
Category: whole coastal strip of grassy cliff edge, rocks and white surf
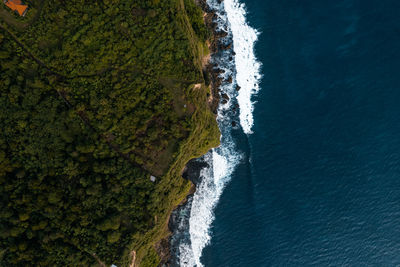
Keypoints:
pixel 230 79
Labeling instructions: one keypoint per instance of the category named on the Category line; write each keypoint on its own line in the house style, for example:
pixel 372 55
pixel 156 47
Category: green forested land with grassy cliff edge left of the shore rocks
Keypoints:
pixel 95 97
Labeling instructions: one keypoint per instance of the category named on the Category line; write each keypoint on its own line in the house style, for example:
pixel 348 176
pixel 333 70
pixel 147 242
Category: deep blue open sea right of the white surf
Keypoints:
pixel 321 182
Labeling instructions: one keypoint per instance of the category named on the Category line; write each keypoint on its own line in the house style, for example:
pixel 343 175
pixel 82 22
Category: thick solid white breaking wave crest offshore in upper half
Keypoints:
pixel 247 67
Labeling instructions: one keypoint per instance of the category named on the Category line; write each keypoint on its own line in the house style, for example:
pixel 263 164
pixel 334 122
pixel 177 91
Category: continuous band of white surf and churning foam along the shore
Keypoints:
pixel 193 220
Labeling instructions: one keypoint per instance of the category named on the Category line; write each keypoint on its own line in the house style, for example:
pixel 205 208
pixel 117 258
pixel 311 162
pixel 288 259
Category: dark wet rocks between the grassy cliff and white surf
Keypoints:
pixel 179 217
